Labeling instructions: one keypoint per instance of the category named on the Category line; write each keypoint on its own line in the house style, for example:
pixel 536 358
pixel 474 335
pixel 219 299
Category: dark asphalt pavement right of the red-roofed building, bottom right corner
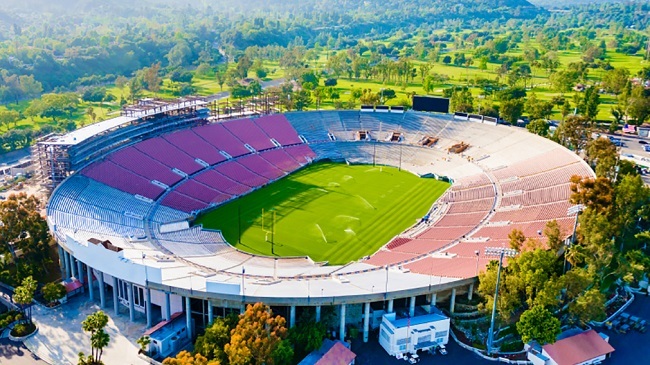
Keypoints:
pixel 632 347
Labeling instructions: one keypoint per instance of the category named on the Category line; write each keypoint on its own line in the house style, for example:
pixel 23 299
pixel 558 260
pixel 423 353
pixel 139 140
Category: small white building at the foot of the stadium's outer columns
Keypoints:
pixel 402 335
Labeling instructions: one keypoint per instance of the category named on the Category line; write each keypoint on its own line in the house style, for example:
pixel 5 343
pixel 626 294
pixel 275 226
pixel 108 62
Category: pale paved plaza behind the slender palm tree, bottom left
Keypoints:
pixel 60 338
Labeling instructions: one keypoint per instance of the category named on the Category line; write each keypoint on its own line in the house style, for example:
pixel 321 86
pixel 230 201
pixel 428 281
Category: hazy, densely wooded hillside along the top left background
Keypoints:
pixel 98 41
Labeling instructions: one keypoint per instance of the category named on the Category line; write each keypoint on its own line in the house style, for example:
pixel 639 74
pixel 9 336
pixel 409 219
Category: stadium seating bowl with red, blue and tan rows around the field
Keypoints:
pixel 506 179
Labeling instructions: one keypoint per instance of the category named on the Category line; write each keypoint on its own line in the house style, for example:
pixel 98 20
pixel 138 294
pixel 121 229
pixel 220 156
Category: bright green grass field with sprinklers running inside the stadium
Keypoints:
pixel 327 211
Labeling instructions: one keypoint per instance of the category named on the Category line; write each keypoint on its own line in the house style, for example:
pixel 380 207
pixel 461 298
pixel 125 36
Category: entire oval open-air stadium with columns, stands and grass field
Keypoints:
pixel 168 211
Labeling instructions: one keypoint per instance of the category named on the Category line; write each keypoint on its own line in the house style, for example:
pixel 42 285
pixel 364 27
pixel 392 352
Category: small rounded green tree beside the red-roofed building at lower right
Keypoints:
pixel 538 324
